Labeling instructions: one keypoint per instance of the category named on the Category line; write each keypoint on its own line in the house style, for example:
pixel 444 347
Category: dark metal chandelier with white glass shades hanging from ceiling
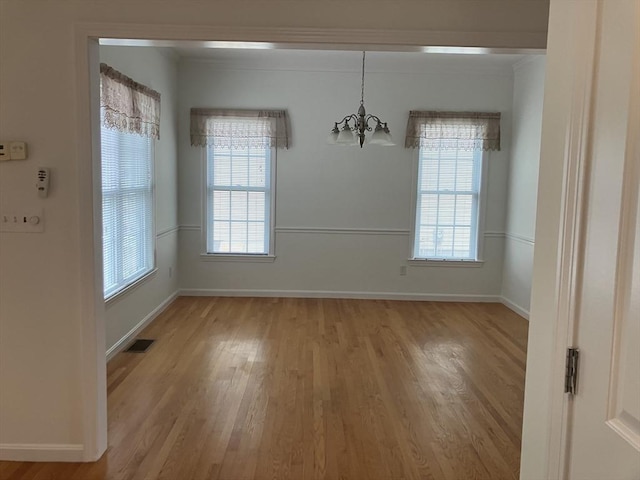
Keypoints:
pixel 344 134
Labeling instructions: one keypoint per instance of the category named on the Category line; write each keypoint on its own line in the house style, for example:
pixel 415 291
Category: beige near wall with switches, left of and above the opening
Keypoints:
pixel 46 317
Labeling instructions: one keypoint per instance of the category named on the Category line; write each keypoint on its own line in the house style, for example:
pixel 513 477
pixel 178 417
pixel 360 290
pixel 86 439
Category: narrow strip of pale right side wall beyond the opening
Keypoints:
pixel 528 93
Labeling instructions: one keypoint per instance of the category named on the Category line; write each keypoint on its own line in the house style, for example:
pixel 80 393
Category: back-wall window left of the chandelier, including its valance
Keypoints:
pixel 239 171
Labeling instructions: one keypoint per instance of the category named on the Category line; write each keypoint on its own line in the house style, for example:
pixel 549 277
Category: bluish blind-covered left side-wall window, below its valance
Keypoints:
pixel 127 208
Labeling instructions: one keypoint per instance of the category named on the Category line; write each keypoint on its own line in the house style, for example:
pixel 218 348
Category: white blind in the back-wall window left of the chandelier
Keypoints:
pixel 239 197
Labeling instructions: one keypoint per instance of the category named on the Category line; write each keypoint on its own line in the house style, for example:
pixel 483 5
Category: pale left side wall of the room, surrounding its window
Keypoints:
pixel 155 68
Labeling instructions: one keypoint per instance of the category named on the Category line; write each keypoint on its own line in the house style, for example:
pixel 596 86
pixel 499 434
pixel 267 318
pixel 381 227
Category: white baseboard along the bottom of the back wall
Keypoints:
pixel 427 297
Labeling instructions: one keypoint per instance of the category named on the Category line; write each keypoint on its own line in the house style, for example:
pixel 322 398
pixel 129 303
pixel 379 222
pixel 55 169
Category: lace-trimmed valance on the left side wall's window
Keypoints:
pixel 127 105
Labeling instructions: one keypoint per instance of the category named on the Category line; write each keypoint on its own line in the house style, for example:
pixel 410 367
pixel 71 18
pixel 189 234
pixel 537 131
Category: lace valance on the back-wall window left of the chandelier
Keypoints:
pixel 239 128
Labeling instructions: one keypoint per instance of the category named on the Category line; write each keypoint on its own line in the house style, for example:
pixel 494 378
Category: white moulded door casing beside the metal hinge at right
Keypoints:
pixel 572 235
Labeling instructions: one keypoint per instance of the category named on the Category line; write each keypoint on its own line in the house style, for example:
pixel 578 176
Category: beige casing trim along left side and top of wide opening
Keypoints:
pixel 86 36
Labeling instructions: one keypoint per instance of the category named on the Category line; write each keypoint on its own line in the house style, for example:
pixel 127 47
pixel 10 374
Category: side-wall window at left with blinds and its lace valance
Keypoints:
pixel 130 121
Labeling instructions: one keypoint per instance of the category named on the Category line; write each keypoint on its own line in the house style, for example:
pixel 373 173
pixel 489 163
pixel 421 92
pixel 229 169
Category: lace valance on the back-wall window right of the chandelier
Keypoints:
pixel 453 130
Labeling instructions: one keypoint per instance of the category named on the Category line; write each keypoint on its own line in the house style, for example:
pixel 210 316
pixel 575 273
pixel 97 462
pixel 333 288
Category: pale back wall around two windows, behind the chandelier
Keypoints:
pixel 320 186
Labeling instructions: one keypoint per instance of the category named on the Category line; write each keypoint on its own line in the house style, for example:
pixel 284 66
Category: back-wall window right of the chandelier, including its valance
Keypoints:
pixel 452 147
